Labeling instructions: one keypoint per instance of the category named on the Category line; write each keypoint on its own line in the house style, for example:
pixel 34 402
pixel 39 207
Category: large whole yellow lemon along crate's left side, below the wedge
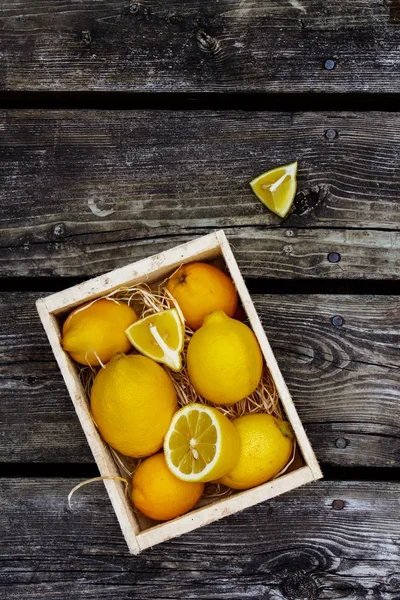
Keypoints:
pixel 132 403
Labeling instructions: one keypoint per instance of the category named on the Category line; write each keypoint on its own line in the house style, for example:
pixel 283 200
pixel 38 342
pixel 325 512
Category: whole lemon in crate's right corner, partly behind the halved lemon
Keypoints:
pixel 266 444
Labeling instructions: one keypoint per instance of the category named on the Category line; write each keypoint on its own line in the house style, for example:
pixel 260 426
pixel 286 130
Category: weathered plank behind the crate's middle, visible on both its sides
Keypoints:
pixel 345 380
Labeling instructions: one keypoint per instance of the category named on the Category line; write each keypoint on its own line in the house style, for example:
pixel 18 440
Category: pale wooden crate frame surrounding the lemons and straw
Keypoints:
pixel 53 309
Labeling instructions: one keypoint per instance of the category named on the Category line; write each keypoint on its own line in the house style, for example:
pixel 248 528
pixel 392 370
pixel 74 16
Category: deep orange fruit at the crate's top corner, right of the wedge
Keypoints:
pixel 200 289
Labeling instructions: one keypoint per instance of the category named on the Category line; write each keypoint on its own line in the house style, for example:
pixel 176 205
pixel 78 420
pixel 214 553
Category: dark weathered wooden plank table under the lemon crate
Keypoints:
pixel 127 127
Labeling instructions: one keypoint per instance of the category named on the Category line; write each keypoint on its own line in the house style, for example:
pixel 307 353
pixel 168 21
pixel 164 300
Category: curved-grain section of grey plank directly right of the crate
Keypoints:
pixel 340 356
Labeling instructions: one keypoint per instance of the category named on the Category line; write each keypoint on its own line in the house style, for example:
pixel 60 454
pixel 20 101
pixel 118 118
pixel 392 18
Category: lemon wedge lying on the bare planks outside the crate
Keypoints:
pixel 277 188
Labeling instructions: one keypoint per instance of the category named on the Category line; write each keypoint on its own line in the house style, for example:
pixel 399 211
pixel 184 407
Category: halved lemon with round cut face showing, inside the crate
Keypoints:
pixel 201 443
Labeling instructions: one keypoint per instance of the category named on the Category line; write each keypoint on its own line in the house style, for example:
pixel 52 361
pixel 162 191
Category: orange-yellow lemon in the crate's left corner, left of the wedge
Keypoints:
pixel 97 329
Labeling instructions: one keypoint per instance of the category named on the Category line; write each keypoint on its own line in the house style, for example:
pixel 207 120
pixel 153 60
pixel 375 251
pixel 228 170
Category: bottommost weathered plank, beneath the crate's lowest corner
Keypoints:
pixel 293 546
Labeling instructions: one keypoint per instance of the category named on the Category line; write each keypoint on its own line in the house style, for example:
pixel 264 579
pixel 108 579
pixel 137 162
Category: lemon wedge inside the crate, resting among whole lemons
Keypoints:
pixel 160 337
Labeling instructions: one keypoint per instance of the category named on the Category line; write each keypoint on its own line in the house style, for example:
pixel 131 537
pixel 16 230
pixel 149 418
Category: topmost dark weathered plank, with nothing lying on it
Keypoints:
pixel 197 46
